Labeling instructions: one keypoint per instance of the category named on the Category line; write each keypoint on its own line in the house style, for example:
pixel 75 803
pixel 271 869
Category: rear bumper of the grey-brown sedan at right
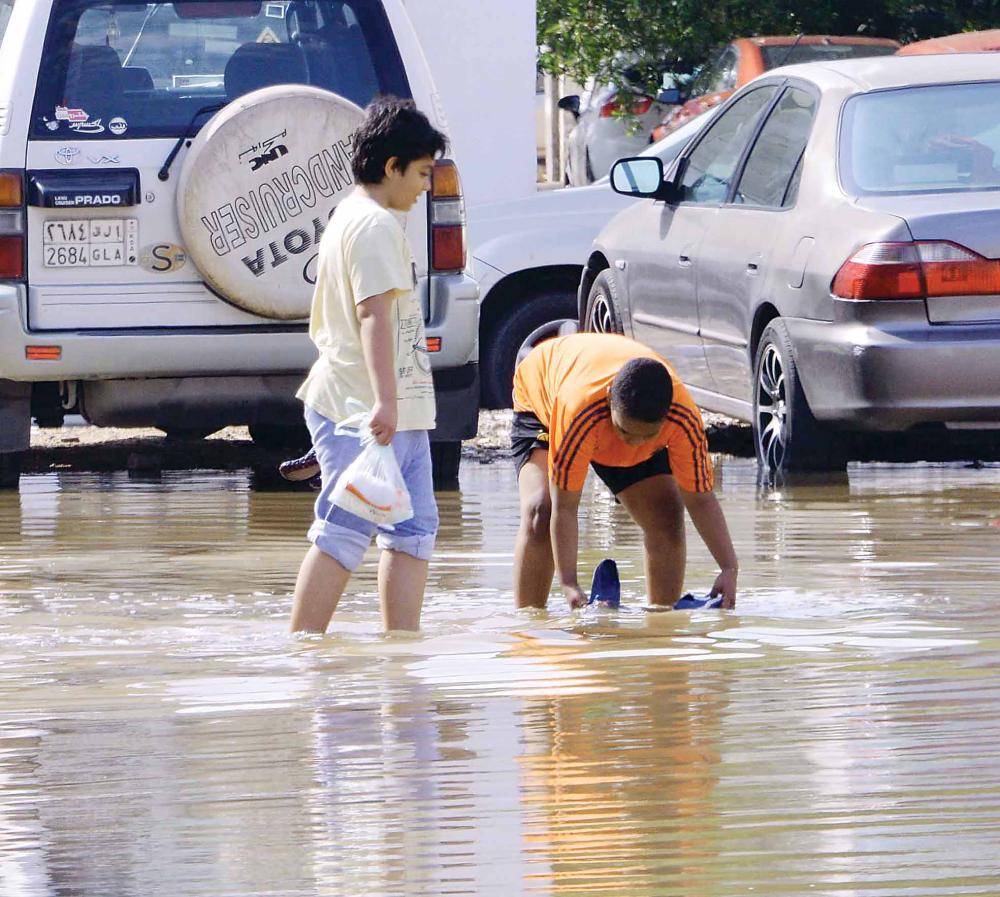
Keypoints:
pixel 881 378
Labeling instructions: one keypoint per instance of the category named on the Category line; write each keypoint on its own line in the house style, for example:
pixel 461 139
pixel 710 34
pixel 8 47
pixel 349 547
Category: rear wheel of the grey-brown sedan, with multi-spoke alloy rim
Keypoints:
pixel 787 437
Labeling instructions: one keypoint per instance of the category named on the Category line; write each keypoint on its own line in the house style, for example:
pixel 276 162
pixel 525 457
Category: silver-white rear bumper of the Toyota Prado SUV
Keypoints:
pixel 163 377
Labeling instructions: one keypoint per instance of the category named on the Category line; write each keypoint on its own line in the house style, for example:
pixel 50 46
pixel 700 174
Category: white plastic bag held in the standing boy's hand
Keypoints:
pixel 372 486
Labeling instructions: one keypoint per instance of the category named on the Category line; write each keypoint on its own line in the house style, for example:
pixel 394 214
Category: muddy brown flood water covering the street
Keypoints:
pixel 161 734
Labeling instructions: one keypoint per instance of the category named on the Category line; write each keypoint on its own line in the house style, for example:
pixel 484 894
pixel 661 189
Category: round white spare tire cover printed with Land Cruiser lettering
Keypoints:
pixel 256 190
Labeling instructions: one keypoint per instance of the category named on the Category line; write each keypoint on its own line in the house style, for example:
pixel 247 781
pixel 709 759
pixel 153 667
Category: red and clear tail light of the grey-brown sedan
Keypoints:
pixel 916 270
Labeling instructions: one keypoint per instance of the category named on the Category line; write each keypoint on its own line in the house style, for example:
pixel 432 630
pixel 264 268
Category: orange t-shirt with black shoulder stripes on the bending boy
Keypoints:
pixel 564 382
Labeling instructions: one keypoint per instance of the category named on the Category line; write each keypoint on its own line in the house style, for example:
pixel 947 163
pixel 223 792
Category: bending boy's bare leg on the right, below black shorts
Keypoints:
pixel 656 505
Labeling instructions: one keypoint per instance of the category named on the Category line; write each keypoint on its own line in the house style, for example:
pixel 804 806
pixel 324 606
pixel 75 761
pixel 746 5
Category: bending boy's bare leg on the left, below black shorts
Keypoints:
pixel 534 565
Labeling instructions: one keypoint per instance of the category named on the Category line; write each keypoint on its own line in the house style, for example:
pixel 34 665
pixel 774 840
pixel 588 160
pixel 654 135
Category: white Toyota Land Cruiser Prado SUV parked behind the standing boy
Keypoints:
pixel 166 171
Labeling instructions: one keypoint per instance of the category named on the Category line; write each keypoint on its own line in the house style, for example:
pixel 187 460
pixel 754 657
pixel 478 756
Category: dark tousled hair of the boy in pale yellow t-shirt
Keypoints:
pixel 393 127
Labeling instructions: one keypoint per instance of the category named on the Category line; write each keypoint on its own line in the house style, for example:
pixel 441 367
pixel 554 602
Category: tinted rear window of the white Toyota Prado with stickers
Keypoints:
pixel 145 69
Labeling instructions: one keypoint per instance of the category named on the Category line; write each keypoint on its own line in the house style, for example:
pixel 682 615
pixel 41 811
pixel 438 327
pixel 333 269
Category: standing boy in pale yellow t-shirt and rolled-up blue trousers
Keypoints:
pixel 367 324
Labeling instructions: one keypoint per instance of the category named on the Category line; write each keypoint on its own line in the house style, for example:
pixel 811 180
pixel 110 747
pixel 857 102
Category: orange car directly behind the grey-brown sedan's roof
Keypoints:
pixel 747 57
